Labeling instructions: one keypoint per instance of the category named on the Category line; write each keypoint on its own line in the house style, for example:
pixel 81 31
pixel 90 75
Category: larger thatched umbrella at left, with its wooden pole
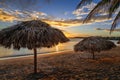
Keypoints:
pixel 32 35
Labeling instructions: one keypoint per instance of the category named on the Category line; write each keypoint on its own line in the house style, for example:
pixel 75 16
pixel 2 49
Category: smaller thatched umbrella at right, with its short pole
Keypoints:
pixel 94 44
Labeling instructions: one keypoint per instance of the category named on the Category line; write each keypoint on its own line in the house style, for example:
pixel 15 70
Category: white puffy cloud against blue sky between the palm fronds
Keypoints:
pixel 82 12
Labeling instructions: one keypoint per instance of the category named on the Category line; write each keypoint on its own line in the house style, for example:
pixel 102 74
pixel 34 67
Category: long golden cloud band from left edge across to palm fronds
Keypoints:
pixel 17 15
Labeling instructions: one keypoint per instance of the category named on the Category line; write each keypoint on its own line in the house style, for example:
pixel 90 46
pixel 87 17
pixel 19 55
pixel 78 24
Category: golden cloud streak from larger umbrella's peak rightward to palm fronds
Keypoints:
pixel 74 22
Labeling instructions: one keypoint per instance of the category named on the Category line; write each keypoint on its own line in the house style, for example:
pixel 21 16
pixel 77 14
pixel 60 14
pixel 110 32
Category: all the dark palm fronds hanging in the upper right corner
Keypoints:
pixel 109 6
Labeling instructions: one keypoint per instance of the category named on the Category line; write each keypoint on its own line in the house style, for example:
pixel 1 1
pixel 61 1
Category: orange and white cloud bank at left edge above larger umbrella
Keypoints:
pixel 17 15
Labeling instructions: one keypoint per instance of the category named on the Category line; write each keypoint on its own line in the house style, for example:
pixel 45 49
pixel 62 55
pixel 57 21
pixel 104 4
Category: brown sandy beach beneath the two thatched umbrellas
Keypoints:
pixel 64 66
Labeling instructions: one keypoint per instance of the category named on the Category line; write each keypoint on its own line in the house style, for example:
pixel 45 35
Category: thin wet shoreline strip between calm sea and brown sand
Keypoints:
pixel 29 55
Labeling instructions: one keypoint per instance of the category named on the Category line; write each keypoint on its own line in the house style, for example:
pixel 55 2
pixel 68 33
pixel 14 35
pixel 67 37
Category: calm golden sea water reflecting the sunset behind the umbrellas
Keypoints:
pixel 4 52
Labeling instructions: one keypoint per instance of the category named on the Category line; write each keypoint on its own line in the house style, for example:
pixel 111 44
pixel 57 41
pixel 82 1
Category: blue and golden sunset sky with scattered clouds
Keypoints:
pixel 61 14
